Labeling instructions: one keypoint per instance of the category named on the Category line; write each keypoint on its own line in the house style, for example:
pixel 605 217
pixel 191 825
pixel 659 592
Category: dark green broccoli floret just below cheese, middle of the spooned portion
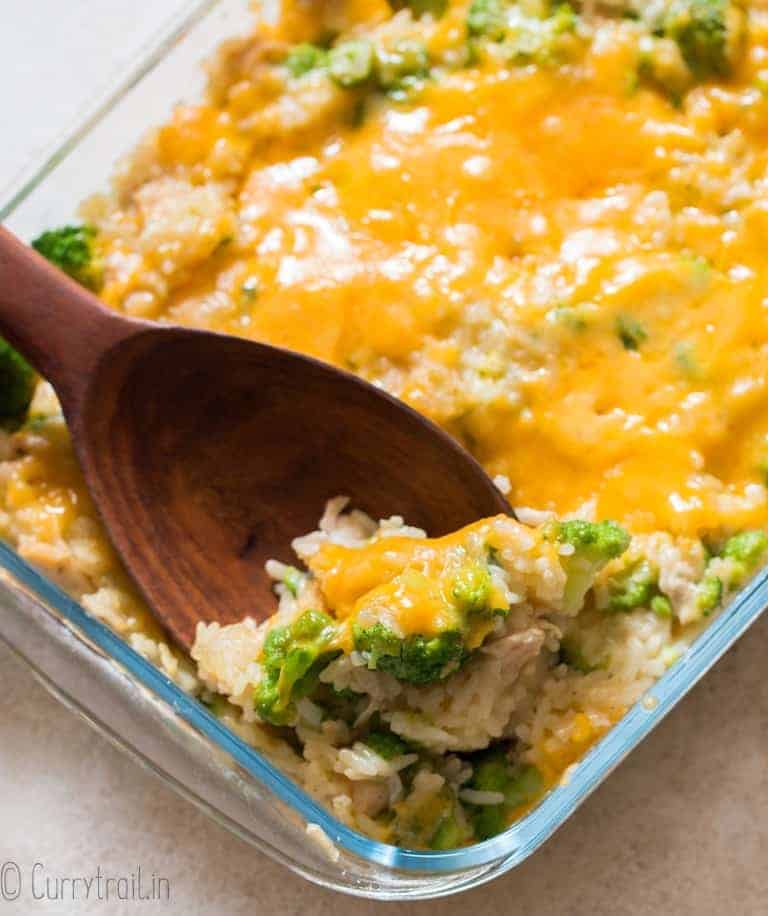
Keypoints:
pixel 416 659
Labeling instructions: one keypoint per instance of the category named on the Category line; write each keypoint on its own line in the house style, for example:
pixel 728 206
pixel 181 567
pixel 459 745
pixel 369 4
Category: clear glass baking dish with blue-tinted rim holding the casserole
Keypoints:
pixel 125 697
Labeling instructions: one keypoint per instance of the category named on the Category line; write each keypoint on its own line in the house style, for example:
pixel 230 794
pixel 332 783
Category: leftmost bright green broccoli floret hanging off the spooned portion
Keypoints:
pixel 292 658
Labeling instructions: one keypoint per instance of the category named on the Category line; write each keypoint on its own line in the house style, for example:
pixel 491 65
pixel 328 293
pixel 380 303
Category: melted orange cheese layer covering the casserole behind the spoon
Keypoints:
pixel 478 248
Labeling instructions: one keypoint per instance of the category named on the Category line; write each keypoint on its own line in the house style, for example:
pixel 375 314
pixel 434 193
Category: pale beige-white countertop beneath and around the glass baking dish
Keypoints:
pixel 679 828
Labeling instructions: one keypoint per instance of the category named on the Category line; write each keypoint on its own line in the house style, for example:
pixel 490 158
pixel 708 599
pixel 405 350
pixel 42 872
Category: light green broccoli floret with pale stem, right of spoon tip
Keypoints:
pixel 594 544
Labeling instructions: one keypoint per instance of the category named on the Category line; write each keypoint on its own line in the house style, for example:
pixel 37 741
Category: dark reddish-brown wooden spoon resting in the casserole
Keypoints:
pixel 207 454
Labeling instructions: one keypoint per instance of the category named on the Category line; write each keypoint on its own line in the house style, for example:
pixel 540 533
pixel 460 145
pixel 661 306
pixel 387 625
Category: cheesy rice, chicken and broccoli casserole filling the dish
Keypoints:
pixel 543 226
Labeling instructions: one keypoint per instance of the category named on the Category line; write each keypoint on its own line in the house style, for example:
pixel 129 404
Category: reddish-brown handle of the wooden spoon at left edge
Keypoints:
pixel 60 327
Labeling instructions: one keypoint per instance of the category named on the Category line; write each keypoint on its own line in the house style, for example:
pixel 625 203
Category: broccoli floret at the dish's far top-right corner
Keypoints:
pixel 708 33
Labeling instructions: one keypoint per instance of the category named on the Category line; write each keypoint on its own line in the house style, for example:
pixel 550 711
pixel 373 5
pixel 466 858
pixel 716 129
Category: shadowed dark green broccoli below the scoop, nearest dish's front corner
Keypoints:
pixel 493 772
